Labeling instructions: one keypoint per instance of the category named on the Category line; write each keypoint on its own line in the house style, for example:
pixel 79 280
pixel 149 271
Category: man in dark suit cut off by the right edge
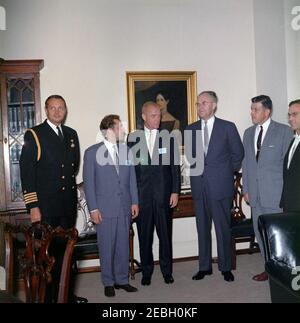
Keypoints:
pixel 290 201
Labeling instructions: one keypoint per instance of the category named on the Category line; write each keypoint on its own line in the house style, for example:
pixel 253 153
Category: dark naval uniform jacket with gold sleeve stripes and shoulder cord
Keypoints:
pixel 48 168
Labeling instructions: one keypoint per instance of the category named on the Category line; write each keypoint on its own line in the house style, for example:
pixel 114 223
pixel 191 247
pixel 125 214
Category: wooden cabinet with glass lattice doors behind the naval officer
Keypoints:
pixel 20 107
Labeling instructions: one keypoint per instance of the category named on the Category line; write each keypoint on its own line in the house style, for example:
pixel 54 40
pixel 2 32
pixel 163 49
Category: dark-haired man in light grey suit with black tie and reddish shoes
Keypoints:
pixel 265 144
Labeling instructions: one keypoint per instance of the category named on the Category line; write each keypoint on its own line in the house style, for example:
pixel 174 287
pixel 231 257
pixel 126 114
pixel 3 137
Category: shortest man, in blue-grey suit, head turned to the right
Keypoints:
pixel 112 198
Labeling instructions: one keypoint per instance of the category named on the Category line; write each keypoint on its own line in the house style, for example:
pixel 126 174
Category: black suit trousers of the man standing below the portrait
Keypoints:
pixel 159 216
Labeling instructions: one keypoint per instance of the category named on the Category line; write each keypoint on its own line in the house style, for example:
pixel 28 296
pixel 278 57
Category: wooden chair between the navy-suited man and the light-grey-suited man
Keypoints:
pixel 241 226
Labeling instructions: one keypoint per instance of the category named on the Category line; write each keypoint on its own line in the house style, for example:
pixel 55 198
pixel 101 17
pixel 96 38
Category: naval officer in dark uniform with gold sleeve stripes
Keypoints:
pixel 48 164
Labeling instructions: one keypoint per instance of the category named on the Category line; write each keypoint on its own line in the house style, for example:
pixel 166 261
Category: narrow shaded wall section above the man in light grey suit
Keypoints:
pixel 270 53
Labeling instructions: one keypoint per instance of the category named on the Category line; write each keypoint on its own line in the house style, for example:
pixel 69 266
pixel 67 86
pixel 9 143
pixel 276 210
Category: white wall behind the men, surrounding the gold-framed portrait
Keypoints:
pixel 89 45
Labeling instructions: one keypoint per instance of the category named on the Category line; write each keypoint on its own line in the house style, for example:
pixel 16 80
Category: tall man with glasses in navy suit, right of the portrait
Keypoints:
pixel 213 190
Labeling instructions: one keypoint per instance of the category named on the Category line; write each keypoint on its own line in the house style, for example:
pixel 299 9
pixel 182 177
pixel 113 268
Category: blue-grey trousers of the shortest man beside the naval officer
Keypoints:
pixel 113 245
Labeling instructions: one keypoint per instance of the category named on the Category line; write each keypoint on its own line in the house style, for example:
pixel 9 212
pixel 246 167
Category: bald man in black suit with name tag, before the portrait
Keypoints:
pixel 158 179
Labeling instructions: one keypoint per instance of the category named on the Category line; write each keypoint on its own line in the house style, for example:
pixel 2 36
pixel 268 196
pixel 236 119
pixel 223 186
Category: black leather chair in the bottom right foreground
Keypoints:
pixel 281 239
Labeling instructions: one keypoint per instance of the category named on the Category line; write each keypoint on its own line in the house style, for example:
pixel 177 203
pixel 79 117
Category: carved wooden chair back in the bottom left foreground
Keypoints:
pixel 30 245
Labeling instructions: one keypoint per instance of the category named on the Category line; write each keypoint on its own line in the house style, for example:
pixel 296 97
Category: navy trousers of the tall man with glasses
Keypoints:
pixel 208 209
